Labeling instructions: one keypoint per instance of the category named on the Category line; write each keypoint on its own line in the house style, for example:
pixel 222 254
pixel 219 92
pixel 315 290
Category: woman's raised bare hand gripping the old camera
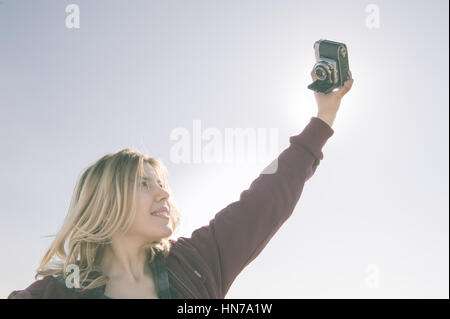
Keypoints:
pixel 328 104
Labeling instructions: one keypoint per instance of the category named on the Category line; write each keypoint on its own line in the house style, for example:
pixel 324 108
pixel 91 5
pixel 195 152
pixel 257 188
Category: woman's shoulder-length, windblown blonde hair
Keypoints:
pixel 103 205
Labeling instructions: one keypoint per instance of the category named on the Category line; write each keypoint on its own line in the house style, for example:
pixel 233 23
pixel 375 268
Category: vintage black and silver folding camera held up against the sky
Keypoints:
pixel 331 66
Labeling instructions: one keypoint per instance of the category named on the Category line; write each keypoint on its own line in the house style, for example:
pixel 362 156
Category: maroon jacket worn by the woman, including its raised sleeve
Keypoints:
pixel 206 264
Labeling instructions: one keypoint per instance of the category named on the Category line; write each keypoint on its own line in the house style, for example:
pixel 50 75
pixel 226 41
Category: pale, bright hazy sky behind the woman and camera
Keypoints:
pixel 373 220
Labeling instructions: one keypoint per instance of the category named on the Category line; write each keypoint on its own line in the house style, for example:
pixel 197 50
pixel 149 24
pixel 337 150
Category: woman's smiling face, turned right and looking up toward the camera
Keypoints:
pixel 151 196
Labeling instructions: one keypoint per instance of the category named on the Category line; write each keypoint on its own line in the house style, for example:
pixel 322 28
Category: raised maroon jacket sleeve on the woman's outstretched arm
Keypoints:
pixel 239 232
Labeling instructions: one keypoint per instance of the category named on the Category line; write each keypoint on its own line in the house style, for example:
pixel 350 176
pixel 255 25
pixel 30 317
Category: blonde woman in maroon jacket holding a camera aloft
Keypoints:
pixel 114 241
